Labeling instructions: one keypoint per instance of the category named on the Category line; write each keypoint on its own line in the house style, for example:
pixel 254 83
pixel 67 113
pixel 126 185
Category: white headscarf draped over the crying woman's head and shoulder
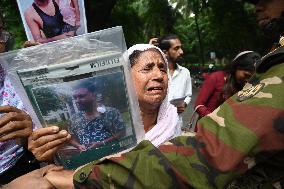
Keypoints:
pixel 167 126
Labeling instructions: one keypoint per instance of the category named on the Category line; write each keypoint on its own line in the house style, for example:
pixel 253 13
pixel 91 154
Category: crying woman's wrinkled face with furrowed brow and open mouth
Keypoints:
pixel 150 78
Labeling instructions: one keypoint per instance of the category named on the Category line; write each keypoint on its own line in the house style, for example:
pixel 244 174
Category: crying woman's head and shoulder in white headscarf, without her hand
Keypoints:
pixel 150 75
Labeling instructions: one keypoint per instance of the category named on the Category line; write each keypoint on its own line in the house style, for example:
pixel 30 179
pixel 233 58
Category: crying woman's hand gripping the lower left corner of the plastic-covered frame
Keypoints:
pixel 45 142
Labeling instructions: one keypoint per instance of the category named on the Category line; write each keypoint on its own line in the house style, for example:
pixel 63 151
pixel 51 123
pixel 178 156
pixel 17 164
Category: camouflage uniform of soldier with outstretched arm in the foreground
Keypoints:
pixel 246 131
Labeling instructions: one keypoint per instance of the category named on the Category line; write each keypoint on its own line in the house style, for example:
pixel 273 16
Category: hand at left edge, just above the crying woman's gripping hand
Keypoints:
pixel 14 124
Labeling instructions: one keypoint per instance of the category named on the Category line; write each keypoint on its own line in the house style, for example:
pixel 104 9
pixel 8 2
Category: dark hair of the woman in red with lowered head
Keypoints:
pixel 243 61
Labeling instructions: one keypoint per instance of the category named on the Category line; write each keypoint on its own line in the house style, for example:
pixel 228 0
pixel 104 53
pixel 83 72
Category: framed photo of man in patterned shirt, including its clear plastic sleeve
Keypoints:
pixel 83 85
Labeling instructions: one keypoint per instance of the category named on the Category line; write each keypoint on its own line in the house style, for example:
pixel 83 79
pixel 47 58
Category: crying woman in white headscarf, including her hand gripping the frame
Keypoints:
pixel 150 75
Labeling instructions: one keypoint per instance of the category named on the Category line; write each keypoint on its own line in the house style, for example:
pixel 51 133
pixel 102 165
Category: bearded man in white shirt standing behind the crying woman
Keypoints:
pixel 180 86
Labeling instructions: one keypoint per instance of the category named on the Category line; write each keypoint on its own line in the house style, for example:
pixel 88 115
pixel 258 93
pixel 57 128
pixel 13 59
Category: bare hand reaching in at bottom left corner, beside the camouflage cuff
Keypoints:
pixel 32 180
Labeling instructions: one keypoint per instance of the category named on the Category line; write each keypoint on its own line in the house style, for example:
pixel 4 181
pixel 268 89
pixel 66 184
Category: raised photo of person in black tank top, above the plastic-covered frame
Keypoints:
pixel 50 20
